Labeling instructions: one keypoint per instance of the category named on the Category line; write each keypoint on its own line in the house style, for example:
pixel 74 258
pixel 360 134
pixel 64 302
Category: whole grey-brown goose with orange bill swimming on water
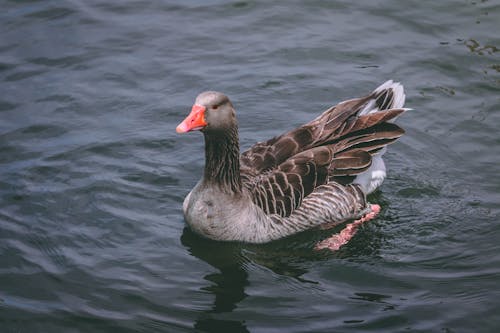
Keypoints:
pixel 317 175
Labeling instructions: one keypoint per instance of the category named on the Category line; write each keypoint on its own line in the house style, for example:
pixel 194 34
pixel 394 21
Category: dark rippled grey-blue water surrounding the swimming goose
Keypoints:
pixel 92 173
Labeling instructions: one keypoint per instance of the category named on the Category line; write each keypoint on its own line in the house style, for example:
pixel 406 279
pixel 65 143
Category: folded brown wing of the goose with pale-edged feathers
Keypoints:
pixel 335 146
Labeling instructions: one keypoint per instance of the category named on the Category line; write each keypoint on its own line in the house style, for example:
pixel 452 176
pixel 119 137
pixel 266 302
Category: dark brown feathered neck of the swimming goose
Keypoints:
pixel 222 160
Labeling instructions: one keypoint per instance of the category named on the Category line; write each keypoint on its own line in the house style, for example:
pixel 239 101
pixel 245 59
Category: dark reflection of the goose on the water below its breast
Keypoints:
pixel 229 283
